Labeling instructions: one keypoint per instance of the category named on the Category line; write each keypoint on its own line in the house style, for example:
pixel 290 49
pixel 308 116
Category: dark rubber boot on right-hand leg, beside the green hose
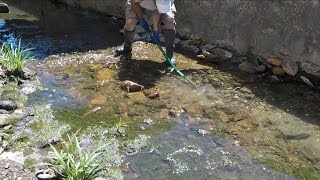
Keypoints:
pixel 169 37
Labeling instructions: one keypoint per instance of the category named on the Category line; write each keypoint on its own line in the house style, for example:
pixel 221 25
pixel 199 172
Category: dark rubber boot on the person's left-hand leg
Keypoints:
pixel 126 48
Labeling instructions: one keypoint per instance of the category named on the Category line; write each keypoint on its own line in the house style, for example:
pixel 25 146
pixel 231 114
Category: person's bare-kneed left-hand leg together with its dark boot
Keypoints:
pixel 129 31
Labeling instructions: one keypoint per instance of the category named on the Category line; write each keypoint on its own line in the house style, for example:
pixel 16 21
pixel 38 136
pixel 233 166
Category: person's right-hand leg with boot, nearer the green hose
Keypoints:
pixel 169 33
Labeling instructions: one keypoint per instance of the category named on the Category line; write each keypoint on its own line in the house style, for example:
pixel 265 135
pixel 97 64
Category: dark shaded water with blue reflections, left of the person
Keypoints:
pixel 54 28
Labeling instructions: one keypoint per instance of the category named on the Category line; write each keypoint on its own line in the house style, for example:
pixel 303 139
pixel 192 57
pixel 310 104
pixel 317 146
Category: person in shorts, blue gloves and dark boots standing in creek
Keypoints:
pixel 163 12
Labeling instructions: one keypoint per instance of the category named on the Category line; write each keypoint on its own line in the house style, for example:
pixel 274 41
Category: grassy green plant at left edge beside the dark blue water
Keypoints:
pixel 13 59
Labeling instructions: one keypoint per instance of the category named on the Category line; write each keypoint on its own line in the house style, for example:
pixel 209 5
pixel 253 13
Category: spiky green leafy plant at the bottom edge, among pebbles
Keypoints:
pixel 73 164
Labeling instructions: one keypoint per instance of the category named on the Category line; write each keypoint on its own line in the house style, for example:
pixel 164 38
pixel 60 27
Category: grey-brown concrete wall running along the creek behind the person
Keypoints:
pixel 268 27
